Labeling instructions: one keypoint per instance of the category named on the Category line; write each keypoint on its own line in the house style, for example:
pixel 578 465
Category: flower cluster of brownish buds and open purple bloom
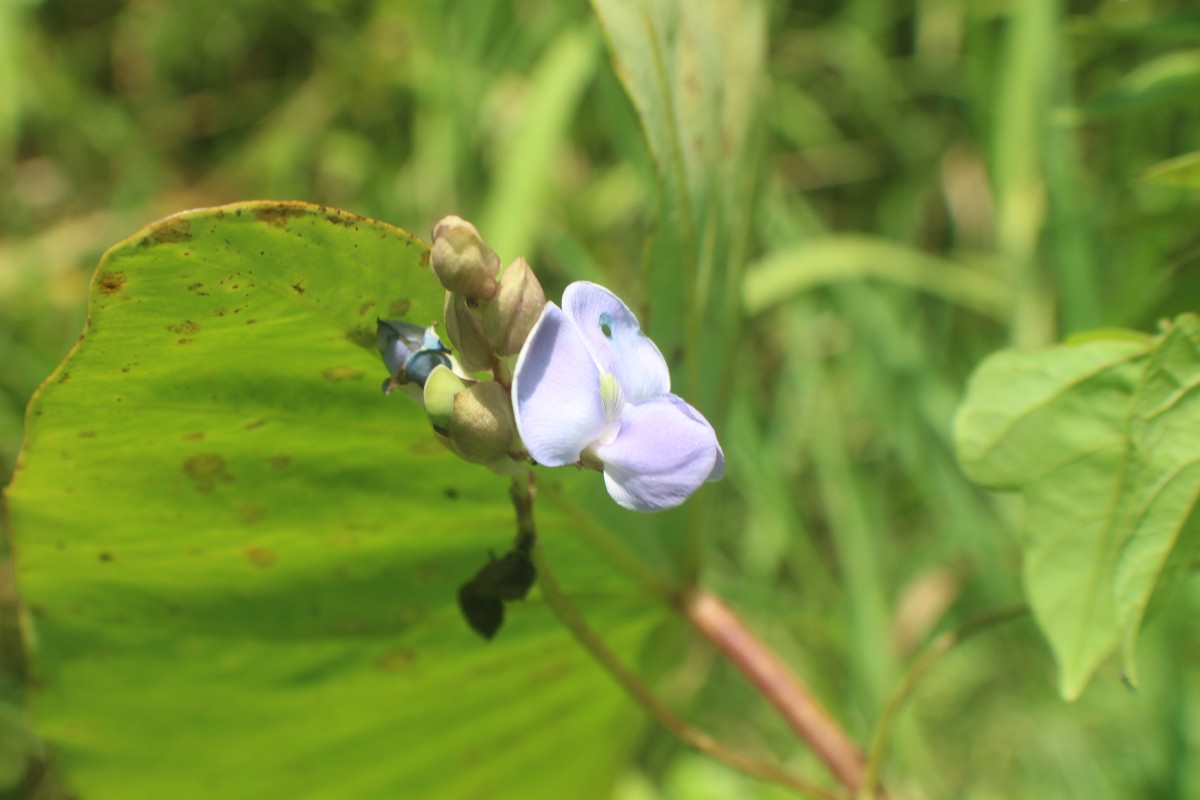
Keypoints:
pixel 589 388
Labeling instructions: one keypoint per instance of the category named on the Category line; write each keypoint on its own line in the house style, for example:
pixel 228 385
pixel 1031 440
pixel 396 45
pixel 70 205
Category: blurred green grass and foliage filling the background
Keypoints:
pixel 1000 141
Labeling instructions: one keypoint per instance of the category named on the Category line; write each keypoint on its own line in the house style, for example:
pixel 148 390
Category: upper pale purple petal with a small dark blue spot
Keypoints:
pixel 616 341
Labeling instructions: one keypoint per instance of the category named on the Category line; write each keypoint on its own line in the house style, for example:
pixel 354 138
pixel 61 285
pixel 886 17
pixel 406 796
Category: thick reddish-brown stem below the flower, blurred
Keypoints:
pixel 778 685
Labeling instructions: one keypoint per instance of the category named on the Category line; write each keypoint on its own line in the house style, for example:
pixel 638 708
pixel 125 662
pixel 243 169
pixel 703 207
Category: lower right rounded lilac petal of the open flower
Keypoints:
pixel 663 454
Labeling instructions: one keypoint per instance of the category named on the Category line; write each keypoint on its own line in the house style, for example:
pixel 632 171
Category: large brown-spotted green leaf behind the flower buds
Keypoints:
pixel 241 560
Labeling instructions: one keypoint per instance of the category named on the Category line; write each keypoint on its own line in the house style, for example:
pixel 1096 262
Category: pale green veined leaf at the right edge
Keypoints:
pixel 1101 438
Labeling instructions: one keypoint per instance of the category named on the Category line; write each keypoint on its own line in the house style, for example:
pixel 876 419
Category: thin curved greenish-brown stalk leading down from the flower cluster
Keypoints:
pixel 643 695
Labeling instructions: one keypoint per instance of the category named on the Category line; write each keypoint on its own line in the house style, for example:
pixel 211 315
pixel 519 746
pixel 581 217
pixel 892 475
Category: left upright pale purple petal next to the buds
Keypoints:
pixel 556 392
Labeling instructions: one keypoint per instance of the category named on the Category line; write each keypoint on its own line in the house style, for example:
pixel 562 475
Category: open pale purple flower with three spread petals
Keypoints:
pixel 591 388
